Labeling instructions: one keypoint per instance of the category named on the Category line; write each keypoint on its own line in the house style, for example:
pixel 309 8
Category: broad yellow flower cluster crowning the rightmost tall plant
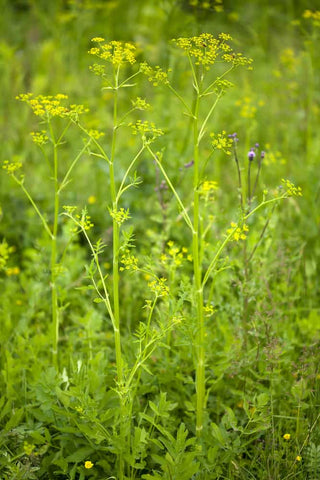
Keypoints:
pixel 206 49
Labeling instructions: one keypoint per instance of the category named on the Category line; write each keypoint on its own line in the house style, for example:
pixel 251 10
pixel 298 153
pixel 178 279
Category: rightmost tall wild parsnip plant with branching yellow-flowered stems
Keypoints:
pixel 203 52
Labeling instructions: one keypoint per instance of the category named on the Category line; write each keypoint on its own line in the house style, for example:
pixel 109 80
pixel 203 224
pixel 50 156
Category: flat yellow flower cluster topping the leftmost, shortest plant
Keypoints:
pixel 51 106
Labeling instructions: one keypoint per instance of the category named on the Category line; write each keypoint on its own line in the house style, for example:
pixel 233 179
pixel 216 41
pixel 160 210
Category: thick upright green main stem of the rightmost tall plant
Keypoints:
pixel 200 350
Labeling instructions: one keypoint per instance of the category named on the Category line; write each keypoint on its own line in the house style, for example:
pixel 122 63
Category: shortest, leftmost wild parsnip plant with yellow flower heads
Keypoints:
pixel 48 108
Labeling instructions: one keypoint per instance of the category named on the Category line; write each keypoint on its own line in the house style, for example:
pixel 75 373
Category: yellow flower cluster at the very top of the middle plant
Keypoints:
pixel 118 53
